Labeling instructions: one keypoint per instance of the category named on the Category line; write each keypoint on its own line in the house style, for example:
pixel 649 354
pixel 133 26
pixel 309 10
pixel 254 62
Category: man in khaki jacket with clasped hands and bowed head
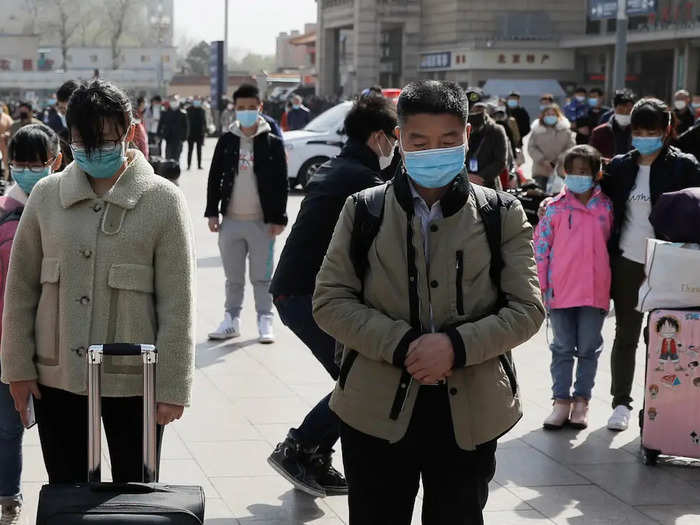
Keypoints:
pixel 425 387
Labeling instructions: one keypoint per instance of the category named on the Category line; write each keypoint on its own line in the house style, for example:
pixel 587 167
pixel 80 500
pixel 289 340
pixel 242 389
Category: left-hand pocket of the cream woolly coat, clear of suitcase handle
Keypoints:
pixel 47 328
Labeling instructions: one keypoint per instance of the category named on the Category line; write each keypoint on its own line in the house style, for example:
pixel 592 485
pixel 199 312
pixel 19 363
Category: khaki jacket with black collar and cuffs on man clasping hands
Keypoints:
pixel 482 390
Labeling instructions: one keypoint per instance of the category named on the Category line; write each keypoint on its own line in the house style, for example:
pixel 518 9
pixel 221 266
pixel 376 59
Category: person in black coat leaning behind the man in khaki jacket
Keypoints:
pixel 305 455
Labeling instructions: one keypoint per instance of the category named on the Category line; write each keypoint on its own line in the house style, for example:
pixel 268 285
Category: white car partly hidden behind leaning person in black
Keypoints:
pixel 321 140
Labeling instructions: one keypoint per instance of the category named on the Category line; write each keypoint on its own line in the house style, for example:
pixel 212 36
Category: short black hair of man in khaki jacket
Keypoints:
pixel 435 97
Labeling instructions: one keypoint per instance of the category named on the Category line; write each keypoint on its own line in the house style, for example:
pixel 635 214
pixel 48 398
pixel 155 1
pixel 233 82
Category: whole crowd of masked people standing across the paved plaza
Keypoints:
pixel 415 333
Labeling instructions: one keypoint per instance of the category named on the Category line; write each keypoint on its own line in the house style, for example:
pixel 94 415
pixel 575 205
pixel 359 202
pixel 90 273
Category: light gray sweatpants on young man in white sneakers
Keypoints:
pixel 238 239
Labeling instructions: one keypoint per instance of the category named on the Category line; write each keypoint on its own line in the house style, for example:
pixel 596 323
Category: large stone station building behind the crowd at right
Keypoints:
pixel 532 46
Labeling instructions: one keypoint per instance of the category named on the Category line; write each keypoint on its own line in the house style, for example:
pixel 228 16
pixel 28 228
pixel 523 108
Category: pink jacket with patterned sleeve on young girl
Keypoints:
pixel 571 251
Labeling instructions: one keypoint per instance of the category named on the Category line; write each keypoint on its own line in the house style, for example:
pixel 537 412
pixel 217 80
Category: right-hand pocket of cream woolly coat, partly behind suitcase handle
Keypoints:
pixel 132 316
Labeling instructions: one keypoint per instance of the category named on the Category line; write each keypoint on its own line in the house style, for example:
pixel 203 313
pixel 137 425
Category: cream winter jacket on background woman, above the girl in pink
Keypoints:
pixel 547 144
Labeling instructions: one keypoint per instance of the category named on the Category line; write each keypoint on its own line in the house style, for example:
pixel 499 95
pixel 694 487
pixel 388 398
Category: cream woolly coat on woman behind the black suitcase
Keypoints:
pixel 89 270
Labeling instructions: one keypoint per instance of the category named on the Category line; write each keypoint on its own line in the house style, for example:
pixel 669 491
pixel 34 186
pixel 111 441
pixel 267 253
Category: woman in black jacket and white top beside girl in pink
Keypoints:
pixel 634 182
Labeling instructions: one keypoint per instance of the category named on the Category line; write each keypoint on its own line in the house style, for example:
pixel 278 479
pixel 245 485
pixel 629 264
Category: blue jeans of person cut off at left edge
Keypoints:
pixel 11 431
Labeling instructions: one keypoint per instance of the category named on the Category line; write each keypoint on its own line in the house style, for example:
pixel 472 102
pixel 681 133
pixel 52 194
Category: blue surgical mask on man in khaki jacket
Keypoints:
pixel 434 168
